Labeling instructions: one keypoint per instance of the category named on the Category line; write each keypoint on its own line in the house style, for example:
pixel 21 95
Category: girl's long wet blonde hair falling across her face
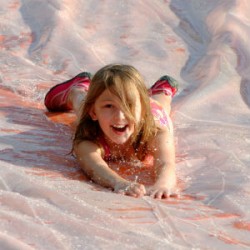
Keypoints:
pixel 120 80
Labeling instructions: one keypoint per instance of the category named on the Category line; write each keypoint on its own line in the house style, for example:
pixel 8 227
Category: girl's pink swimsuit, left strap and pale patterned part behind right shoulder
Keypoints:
pixel 159 116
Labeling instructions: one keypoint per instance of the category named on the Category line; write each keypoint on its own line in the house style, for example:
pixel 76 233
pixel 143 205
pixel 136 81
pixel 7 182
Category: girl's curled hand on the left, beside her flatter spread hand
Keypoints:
pixel 130 188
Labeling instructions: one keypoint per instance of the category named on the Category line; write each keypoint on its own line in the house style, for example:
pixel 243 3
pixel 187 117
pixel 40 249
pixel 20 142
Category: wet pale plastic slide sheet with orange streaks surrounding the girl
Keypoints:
pixel 46 201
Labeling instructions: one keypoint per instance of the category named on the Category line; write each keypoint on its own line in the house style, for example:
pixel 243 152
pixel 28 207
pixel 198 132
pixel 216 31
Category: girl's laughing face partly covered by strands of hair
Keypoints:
pixel 107 111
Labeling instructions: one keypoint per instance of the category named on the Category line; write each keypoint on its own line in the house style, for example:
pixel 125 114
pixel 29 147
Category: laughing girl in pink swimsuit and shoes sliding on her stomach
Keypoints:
pixel 120 120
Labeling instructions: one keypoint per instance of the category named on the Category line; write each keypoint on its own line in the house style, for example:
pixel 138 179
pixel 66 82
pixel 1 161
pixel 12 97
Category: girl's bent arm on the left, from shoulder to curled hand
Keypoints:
pixel 92 163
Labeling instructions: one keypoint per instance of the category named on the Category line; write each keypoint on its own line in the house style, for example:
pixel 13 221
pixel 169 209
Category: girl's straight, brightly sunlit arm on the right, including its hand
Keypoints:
pixel 164 162
